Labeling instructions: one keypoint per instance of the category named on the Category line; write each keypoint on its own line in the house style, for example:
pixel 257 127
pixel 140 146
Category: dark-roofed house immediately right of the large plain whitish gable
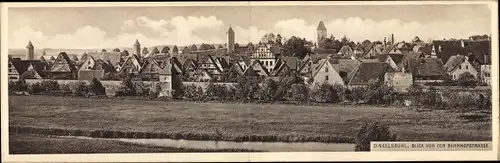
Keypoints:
pixel 367 72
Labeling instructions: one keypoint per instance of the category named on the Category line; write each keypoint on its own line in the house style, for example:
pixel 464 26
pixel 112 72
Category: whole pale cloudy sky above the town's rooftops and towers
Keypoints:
pixel 109 27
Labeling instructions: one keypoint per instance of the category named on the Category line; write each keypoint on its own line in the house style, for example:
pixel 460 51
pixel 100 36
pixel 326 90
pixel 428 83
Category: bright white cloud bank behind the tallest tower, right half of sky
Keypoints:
pixel 358 29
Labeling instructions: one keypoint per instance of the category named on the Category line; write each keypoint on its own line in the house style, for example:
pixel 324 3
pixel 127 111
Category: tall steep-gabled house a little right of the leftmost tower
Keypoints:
pixel 63 68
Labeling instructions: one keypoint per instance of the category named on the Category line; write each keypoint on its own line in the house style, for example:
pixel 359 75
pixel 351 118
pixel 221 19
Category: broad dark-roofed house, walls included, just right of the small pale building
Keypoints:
pixel 426 70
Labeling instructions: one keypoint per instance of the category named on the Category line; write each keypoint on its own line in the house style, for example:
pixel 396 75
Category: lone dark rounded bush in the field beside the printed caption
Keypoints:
pixel 372 131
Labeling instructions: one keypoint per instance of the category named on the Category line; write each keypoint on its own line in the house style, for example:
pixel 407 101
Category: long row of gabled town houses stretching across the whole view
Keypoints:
pixel 398 65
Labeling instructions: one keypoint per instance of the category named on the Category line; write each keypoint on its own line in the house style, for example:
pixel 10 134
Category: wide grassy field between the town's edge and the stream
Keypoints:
pixel 238 120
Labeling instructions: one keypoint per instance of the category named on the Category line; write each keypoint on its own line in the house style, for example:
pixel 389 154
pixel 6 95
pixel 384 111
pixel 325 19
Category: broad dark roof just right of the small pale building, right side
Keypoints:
pixel 426 67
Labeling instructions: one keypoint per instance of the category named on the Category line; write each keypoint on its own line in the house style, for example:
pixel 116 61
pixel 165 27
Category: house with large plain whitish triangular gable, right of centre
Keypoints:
pixel 326 73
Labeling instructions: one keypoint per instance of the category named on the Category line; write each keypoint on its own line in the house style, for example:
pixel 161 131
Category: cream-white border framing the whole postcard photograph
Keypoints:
pixel 244 157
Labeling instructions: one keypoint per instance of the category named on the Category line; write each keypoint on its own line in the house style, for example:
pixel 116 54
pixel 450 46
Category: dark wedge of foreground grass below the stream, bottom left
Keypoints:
pixel 40 144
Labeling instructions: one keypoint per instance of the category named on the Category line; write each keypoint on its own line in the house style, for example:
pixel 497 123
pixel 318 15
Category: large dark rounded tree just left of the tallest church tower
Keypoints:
pixel 296 47
